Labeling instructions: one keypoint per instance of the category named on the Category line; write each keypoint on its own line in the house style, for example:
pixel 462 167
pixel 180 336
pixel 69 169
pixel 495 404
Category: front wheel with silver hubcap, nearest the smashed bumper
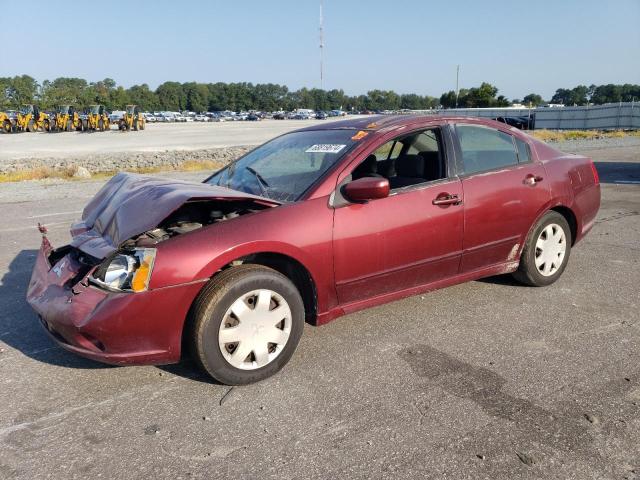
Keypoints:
pixel 247 322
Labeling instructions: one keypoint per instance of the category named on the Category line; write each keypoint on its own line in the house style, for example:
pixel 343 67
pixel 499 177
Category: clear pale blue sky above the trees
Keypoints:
pixel 407 46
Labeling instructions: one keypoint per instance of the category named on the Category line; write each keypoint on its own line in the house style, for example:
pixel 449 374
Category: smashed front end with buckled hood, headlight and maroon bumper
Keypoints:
pixel 93 295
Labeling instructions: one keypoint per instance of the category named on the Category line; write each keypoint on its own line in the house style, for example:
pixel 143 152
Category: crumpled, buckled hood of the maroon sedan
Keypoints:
pixel 130 204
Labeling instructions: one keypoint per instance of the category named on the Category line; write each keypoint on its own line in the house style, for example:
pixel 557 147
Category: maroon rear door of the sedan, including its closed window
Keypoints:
pixel 504 190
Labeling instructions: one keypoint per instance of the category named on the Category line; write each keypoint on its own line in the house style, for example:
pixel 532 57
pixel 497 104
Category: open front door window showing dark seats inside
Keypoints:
pixel 407 160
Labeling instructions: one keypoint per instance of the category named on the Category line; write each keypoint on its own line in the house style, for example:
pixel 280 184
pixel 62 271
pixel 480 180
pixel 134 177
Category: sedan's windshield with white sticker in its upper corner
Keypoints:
pixel 284 168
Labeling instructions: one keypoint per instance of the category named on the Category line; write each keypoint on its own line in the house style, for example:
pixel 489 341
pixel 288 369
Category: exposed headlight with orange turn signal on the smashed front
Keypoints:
pixel 126 271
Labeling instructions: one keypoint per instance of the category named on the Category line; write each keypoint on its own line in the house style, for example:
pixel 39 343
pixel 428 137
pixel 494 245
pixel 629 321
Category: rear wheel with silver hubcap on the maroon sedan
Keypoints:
pixel 546 253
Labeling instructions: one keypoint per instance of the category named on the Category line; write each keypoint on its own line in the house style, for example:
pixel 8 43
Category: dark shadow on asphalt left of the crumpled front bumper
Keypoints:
pixel 19 325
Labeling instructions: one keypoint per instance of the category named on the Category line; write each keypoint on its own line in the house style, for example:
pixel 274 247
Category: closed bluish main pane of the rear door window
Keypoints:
pixel 484 148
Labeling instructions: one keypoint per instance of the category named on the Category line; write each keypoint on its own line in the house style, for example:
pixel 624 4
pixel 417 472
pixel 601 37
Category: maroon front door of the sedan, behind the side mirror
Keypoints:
pixel 410 238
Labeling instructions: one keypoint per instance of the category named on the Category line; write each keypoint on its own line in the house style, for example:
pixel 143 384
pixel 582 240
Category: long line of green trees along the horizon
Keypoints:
pixel 200 97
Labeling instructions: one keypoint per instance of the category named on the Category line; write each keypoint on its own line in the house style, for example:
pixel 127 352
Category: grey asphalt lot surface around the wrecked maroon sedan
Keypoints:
pixel 487 379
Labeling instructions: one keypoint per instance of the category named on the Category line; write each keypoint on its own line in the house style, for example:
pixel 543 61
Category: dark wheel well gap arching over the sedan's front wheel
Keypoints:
pixel 294 271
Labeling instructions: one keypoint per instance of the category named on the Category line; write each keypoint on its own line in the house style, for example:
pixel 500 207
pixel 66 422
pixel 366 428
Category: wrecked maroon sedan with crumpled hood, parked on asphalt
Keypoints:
pixel 312 225
